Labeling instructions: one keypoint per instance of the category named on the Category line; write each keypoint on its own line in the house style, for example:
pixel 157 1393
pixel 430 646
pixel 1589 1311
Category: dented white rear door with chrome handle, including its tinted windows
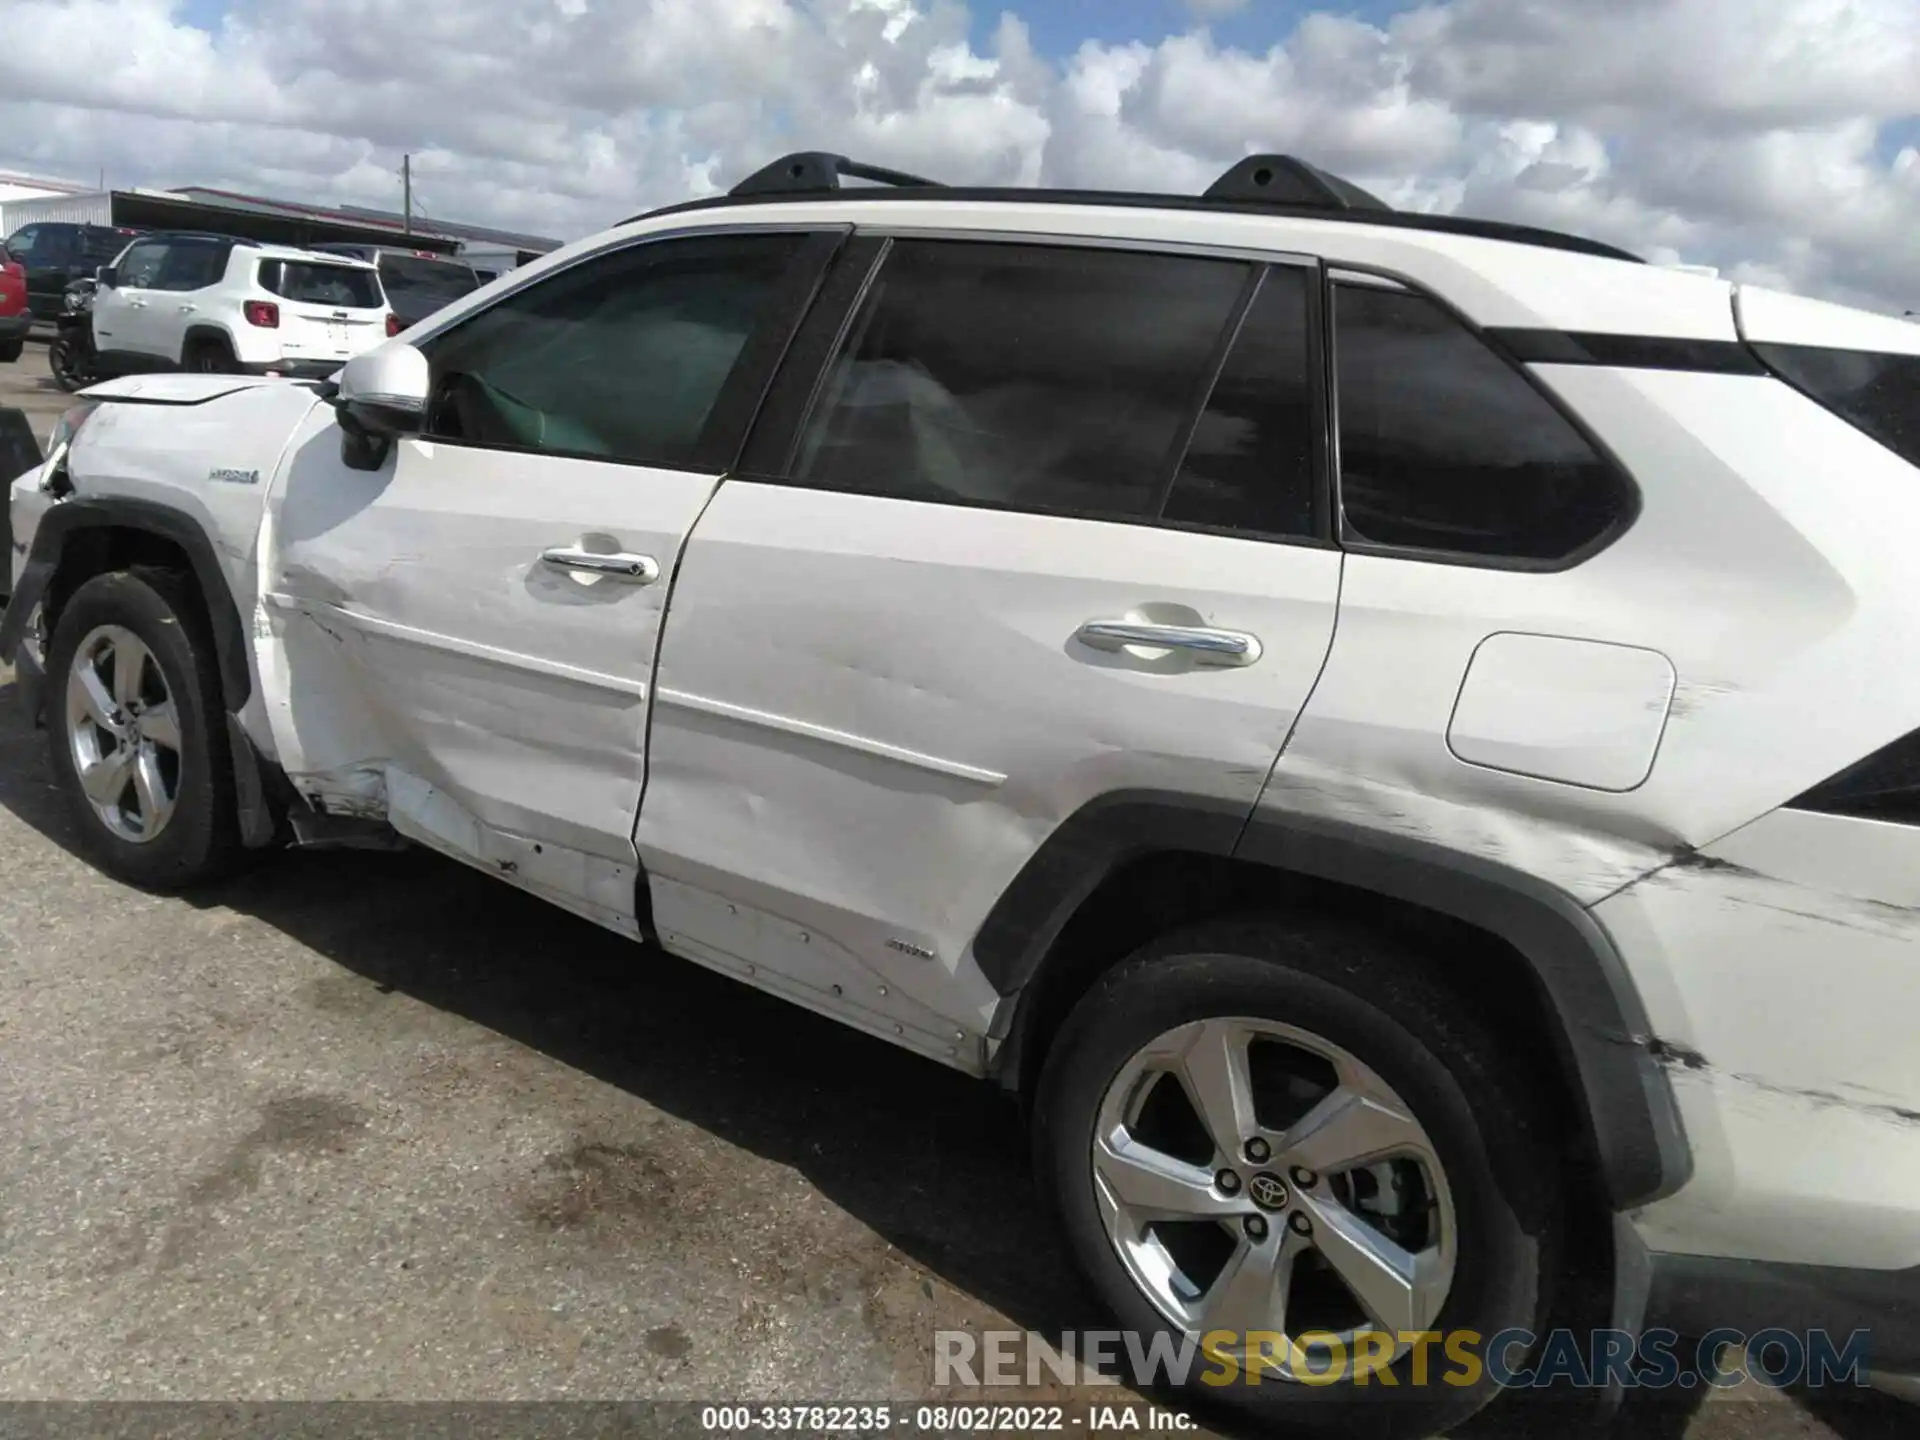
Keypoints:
pixel 1053 531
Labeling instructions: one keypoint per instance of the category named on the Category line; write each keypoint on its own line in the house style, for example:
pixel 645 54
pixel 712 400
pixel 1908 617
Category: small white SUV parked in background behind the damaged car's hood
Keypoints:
pixel 224 306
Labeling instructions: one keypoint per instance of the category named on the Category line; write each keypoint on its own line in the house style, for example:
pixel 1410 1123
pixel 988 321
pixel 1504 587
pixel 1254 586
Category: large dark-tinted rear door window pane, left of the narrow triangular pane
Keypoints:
pixel 1024 377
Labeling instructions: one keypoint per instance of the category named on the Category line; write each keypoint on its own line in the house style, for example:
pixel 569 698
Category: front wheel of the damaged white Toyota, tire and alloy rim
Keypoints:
pixel 197 834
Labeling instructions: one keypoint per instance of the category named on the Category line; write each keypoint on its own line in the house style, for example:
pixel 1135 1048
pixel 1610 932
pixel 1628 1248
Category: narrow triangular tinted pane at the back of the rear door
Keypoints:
pixel 1251 460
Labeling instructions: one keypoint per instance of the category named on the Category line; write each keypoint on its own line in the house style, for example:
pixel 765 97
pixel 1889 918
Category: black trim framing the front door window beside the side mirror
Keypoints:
pixel 740 398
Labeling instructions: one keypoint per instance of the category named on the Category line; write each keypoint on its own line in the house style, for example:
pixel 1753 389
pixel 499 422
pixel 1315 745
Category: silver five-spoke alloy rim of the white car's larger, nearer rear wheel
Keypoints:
pixel 1260 1180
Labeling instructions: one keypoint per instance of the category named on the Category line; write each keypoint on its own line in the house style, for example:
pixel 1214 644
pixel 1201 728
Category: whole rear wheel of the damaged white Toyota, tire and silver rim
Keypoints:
pixel 1282 1147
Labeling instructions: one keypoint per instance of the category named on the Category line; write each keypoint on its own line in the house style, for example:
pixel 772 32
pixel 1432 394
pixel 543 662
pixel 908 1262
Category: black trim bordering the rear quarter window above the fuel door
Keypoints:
pixel 1341 272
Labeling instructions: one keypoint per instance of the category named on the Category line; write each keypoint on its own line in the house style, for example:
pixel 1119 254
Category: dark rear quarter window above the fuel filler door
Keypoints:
pixel 1449 448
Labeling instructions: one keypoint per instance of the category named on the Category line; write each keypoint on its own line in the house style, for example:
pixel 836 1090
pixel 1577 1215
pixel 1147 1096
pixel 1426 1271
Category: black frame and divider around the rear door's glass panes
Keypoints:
pixel 773 448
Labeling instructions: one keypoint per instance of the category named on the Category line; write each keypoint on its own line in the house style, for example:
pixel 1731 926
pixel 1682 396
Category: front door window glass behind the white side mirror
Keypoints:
pixel 621 358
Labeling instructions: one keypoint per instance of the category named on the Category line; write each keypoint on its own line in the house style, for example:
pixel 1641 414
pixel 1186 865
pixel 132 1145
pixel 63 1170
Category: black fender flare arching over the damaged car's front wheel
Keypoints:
pixel 82 514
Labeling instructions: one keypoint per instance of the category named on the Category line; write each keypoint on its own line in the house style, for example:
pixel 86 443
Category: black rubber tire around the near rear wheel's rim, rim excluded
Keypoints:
pixel 1370 999
